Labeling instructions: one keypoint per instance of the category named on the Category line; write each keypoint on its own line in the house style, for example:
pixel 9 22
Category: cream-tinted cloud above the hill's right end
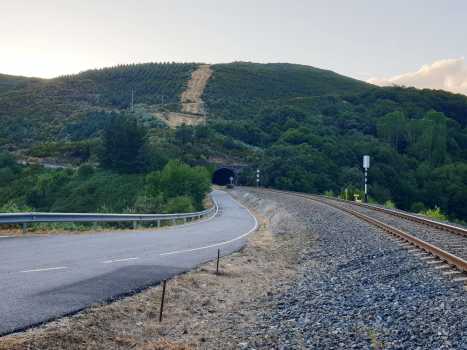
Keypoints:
pixel 449 75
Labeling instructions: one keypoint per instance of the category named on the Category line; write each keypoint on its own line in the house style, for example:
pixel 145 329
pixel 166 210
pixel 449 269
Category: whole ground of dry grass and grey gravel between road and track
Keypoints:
pixel 311 277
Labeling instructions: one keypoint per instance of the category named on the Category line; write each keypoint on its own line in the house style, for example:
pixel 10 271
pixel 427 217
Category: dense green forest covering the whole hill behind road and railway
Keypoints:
pixel 306 129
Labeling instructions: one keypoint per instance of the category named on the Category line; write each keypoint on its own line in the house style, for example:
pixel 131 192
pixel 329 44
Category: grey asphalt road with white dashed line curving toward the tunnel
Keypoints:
pixel 42 278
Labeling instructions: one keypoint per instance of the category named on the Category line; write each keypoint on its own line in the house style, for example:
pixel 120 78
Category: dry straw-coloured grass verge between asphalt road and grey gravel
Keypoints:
pixel 202 310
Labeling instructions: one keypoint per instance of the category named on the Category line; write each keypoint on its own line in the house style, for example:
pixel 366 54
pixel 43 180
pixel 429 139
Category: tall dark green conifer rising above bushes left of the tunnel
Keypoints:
pixel 123 142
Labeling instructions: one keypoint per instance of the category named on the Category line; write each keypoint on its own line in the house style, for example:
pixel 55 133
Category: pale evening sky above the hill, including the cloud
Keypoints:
pixel 412 43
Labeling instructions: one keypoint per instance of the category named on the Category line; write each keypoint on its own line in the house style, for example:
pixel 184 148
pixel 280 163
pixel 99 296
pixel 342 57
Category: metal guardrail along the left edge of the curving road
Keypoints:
pixel 33 218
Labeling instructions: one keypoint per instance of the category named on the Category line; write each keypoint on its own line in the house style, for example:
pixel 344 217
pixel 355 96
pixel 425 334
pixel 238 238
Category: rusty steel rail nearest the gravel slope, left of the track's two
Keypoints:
pixel 437 252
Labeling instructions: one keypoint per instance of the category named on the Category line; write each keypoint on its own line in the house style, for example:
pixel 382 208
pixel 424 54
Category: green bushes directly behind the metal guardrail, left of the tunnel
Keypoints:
pixel 88 189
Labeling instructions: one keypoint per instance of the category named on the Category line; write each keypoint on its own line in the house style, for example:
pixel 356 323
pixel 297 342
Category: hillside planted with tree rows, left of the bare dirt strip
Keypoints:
pixel 41 111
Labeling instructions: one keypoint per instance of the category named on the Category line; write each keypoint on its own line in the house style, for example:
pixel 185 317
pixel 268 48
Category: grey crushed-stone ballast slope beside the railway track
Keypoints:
pixel 361 290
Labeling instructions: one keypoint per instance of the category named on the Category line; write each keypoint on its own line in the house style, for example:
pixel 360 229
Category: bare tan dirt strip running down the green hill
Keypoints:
pixel 191 100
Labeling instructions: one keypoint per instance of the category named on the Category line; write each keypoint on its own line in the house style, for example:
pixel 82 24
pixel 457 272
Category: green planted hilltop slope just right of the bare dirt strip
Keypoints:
pixel 239 90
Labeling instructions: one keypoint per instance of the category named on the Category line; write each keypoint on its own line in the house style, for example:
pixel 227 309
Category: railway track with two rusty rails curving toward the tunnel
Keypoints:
pixel 442 245
